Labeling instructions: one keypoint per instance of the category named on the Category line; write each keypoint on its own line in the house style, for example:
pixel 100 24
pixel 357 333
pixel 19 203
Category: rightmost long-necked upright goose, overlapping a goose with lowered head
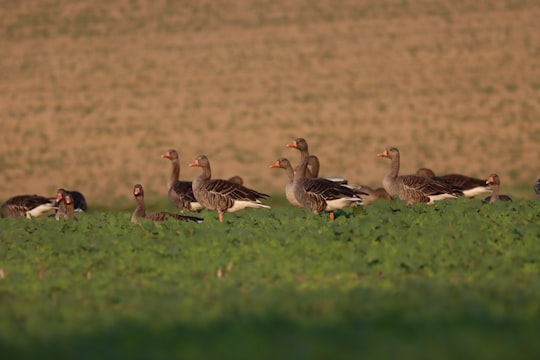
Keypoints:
pixel 414 188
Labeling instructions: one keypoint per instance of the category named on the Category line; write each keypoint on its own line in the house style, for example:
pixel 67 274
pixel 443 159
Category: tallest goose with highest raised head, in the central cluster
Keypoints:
pixel 319 194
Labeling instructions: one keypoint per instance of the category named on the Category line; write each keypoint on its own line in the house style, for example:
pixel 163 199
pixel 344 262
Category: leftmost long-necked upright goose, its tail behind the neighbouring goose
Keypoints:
pixel 180 192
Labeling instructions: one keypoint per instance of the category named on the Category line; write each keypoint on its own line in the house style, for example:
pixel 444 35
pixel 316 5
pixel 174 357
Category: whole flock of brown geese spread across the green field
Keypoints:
pixel 304 189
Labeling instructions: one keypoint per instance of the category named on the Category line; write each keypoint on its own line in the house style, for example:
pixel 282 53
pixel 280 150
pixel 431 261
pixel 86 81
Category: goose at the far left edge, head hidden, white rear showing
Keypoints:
pixel 26 206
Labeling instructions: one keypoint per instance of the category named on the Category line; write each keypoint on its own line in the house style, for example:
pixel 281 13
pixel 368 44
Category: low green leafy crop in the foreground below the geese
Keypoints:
pixel 457 279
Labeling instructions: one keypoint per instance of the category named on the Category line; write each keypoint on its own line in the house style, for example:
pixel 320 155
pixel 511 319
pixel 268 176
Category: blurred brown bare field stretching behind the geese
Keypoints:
pixel 93 92
